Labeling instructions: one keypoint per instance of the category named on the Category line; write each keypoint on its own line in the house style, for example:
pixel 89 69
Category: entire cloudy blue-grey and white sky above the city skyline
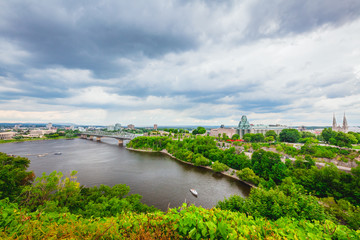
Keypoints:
pixel 293 62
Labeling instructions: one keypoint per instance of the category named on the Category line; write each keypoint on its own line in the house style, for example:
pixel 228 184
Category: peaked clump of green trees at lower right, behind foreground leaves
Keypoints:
pixel 286 200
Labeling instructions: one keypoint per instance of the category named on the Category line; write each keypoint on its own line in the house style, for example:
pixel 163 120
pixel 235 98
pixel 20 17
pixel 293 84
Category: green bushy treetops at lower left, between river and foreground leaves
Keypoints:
pixel 53 193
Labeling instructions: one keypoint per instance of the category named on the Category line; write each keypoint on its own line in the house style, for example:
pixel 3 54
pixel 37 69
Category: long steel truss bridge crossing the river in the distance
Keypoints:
pixel 120 136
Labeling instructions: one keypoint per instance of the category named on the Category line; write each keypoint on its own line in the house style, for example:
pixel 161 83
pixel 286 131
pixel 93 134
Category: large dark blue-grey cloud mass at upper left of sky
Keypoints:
pixel 89 36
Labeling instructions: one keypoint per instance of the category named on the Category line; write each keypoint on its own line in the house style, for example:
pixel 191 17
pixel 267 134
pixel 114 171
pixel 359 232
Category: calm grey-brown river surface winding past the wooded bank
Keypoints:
pixel 161 180
